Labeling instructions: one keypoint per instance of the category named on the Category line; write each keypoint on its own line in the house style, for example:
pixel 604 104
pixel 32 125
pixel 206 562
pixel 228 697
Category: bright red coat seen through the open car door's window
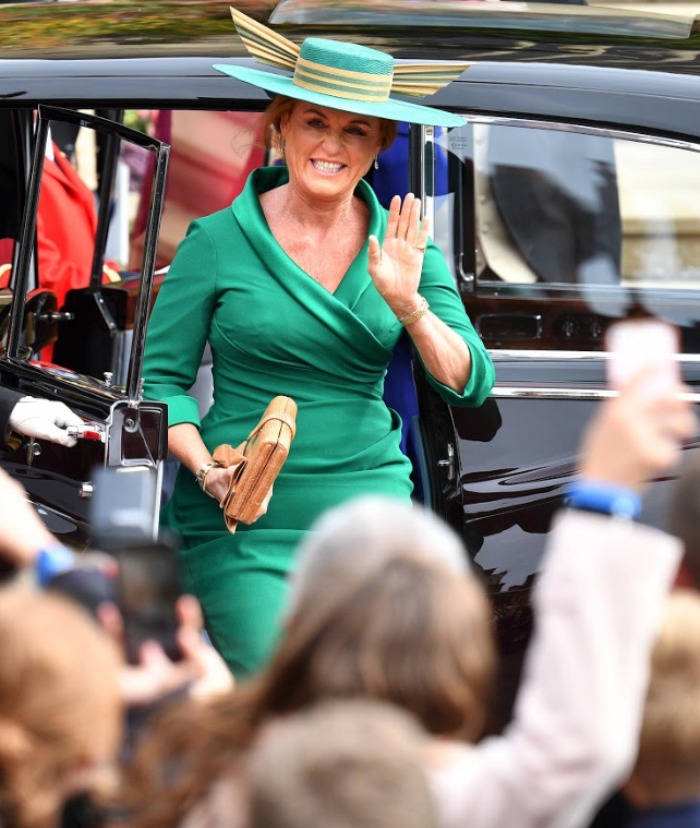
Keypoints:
pixel 66 227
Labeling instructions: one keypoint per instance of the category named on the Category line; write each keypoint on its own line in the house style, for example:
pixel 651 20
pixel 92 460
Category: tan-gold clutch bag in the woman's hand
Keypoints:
pixel 260 460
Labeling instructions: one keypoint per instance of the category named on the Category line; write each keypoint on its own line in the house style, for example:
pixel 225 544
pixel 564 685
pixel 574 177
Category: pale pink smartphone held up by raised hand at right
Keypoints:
pixel 637 345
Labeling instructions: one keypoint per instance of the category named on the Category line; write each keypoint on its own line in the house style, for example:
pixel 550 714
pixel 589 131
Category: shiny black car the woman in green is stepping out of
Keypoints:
pixel 569 201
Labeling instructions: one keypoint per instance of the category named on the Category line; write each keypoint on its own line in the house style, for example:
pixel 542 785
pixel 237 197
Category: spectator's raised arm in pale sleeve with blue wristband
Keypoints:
pixel 598 604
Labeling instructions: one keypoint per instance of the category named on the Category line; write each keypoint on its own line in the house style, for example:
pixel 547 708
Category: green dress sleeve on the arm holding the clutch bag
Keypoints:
pixel 179 326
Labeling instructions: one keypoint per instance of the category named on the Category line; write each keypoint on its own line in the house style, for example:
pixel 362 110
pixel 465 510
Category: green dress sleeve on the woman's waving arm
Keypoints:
pixel 438 288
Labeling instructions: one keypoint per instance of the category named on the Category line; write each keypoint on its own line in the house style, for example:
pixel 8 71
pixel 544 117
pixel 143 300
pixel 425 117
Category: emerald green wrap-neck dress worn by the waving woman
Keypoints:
pixel 273 330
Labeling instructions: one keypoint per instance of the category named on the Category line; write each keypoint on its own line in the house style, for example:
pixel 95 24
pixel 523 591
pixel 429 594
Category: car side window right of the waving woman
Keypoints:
pixel 557 231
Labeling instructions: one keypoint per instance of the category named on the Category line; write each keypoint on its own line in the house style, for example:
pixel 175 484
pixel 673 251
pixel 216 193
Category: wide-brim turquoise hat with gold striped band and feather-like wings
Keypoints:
pixel 345 76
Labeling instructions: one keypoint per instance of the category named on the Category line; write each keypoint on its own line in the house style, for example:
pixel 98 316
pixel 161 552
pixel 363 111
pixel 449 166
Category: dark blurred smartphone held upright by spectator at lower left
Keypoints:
pixel 148 589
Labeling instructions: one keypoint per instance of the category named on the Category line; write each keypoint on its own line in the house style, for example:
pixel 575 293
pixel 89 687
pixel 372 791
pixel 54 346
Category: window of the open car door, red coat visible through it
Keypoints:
pixel 73 308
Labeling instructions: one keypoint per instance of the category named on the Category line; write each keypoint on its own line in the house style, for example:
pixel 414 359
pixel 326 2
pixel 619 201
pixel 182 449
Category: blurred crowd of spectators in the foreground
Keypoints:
pixel 372 709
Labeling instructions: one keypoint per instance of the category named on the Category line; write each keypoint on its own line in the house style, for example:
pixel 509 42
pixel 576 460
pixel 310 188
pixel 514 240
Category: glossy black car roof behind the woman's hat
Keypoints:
pixel 548 72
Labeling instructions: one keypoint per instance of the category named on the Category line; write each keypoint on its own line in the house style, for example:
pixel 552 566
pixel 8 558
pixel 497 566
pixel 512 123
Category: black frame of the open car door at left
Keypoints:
pixel 123 430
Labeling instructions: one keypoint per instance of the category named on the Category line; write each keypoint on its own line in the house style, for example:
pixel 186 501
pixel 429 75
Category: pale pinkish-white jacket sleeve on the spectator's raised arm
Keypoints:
pixel 573 739
